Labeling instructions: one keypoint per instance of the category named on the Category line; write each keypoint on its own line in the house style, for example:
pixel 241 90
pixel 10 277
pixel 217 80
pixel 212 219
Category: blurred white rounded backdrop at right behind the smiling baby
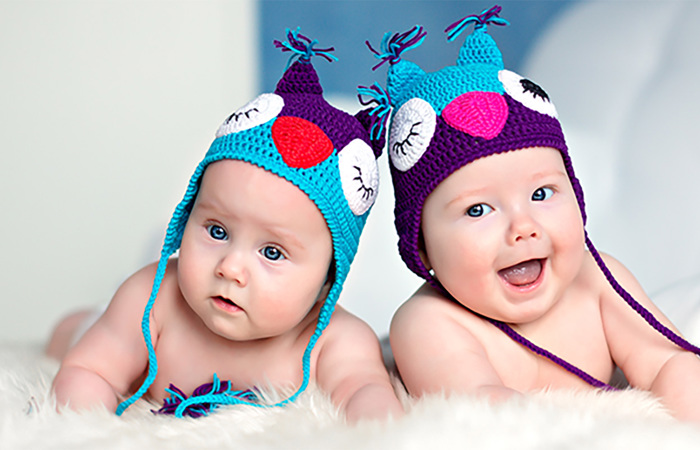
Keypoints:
pixel 628 97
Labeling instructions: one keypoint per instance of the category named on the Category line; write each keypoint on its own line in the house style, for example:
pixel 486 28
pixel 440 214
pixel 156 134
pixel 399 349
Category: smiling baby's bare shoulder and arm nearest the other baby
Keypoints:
pixel 436 353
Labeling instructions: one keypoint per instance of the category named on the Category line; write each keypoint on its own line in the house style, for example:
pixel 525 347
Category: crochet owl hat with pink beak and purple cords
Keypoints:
pixel 447 119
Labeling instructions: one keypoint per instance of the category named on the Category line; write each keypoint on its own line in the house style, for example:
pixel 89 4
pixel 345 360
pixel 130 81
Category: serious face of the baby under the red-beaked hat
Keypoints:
pixel 255 252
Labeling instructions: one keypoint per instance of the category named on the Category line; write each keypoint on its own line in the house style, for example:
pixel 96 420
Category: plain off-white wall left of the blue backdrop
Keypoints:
pixel 105 109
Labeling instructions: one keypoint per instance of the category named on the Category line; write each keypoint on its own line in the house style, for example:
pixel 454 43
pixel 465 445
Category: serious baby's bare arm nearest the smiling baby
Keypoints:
pixel 351 369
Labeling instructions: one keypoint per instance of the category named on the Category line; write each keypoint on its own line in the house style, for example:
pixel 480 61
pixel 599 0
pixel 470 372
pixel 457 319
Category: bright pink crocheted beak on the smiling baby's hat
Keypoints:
pixel 479 114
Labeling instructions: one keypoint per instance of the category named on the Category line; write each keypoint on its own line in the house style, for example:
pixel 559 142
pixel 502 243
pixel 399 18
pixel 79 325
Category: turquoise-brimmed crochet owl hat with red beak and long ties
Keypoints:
pixel 327 153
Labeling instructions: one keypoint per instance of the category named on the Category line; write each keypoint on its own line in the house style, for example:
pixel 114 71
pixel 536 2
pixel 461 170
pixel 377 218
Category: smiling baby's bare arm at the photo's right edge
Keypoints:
pixel 649 360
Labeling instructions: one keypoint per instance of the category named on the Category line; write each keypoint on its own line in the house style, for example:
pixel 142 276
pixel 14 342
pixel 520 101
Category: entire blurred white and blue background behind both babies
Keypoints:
pixel 106 106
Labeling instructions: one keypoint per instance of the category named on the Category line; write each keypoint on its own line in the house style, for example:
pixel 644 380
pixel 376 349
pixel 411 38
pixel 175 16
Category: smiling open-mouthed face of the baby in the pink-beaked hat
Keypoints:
pixel 504 234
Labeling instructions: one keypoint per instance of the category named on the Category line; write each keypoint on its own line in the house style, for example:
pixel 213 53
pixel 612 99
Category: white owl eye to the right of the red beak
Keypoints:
pixel 359 175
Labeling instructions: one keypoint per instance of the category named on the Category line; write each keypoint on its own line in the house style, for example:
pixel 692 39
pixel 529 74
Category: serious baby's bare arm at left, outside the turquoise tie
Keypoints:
pixel 104 363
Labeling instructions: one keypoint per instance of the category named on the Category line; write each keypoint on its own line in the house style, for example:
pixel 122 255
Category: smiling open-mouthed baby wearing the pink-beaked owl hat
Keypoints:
pixel 489 212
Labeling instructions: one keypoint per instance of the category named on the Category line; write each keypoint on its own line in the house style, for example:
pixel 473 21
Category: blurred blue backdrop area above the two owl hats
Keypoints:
pixel 347 24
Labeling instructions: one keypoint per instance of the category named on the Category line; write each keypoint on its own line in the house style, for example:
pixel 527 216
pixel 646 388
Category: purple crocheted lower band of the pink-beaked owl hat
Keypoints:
pixel 449 150
